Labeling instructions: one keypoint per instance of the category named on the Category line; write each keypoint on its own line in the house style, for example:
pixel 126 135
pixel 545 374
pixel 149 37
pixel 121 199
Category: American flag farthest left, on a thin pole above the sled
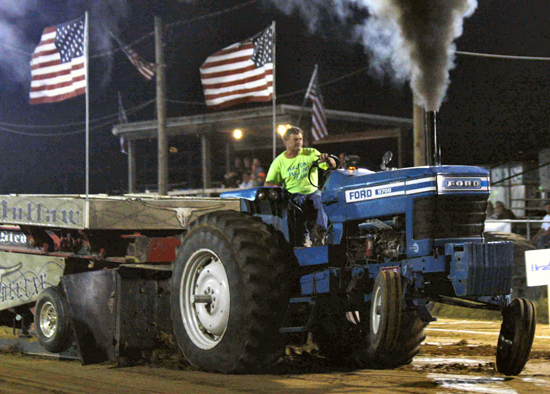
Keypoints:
pixel 57 67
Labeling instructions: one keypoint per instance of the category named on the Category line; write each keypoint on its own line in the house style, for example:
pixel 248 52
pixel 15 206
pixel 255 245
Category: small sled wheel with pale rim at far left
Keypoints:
pixel 52 320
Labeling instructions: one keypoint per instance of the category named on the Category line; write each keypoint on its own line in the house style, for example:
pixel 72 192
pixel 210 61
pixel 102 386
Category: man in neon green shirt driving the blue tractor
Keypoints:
pixel 291 169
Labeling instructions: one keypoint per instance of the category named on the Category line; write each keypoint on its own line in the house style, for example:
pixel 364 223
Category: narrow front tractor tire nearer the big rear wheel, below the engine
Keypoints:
pixel 386 312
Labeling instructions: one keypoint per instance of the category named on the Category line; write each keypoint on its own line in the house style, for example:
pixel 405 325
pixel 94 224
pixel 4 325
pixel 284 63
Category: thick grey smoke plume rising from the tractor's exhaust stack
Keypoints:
pixel 411 40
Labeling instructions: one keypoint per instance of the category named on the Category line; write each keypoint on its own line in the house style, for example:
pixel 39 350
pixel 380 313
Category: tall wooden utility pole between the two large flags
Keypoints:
pixel 161 111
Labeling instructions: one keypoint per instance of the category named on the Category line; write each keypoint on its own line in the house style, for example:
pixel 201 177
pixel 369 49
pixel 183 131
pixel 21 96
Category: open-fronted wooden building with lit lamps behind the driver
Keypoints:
pixel 203 145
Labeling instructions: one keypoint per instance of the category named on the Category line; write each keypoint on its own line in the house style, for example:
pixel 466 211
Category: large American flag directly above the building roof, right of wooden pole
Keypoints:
pixel 240 73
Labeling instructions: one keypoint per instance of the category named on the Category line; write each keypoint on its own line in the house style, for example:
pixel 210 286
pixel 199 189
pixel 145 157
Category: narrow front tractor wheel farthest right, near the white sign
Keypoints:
pixel 516 336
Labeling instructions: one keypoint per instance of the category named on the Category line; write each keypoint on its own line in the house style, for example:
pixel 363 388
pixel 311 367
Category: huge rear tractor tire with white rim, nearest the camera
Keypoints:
pixel 230 293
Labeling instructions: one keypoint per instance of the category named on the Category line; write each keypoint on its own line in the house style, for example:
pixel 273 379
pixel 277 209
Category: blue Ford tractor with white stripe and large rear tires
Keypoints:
pixel 398 240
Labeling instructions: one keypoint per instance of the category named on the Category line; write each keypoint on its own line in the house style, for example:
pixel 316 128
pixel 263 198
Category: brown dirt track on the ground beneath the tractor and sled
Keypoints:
pixel 458 356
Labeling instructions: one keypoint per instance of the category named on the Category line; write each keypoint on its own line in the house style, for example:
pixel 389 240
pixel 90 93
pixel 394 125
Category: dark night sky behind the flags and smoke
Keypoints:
pixel 495 109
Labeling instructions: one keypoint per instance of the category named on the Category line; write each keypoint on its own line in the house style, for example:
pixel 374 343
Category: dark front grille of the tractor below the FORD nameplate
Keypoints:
pixel 449 216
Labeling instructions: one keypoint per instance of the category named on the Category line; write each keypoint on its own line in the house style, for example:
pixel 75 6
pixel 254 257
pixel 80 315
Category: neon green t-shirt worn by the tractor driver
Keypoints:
pixel 293 172
